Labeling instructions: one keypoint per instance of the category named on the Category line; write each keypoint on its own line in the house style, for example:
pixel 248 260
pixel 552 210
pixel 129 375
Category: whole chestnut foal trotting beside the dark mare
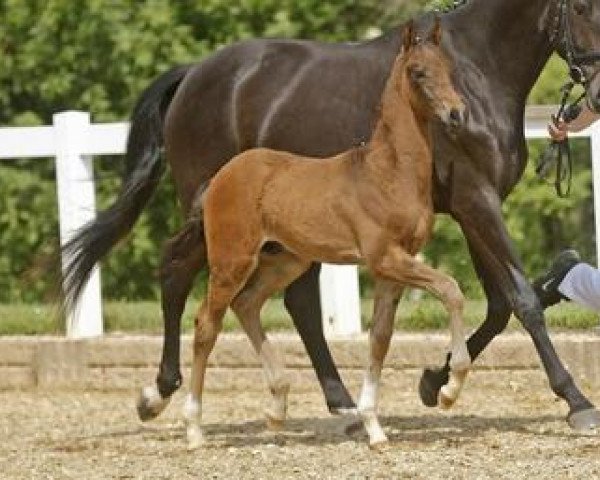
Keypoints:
pixel 370 205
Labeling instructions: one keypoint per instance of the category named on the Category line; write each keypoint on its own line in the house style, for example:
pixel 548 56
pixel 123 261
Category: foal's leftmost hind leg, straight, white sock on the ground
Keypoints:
pixel 227 278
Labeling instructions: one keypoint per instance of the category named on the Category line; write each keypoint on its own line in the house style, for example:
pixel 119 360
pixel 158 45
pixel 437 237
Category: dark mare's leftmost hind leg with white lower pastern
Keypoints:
pixel 184 255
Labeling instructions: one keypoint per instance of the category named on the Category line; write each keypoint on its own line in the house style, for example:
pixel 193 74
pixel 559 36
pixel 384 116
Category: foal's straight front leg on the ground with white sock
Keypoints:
pixel 386 300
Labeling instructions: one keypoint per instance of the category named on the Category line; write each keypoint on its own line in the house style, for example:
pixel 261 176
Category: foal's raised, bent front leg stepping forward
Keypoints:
pixel 397 264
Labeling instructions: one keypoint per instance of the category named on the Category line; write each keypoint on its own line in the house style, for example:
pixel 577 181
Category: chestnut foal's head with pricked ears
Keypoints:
pixel 424 75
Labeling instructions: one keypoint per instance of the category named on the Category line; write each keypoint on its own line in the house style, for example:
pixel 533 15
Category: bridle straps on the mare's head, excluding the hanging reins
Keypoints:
pixel 563 37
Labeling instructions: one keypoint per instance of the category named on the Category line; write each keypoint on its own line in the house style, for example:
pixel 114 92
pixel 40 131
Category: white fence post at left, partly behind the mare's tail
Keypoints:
pixel 77 206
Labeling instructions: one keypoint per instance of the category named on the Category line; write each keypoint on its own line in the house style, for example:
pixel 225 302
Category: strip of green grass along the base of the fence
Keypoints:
pixel 145 317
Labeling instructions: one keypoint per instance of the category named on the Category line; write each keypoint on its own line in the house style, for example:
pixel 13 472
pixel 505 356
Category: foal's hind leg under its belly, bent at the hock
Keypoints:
pixel 274 273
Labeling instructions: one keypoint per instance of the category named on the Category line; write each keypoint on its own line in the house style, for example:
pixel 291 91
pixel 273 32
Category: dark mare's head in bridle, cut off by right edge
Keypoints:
pixel 579 43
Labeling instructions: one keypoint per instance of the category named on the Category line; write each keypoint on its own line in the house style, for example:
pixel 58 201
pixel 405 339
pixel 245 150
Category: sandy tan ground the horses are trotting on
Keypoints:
pixel 506 425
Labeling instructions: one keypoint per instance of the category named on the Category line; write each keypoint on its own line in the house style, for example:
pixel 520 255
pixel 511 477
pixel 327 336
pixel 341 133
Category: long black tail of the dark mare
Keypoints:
pixel 144 168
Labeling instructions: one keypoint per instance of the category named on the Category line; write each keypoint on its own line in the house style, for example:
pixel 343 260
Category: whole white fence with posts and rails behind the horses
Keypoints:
pixel 73 140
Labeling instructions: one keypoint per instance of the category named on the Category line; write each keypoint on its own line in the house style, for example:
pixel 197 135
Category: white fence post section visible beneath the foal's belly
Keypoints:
pixel 340 300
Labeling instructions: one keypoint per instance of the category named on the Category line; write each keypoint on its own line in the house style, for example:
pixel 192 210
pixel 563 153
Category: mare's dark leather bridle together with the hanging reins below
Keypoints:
pixel 558 153
